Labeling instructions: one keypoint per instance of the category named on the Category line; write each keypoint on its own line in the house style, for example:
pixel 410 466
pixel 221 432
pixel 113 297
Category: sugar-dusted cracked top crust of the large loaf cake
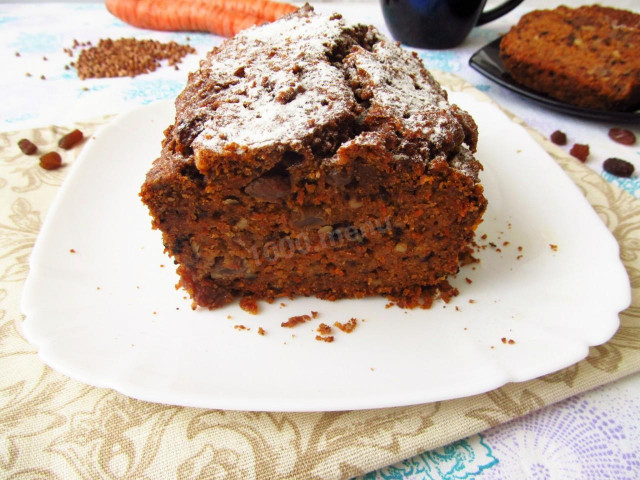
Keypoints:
pixel 278 85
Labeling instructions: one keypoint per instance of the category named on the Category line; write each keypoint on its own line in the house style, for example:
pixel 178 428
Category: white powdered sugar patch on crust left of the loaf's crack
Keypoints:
pixel 283 91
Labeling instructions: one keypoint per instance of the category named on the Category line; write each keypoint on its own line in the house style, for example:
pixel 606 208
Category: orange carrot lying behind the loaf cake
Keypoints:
pixel 222 17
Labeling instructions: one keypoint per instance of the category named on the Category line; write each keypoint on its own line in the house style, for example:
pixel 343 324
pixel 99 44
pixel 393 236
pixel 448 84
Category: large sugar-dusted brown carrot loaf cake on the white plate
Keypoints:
pixel 312 158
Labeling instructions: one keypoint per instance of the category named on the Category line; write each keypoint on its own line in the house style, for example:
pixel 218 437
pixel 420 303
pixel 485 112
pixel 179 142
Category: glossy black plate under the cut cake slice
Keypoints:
pixel 487 61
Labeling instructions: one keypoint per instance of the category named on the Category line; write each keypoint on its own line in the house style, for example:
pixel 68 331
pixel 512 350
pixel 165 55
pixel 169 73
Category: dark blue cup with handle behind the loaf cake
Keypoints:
pixel 438 23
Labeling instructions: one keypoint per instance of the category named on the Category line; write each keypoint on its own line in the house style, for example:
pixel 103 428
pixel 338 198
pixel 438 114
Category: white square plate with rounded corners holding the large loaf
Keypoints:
pixel 108 315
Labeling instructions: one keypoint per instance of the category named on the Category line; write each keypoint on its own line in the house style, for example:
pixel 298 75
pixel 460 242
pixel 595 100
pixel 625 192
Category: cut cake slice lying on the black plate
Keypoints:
pixel 588 56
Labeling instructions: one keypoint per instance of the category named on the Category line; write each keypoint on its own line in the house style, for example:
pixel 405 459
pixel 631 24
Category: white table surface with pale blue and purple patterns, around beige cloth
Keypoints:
pixel 541 445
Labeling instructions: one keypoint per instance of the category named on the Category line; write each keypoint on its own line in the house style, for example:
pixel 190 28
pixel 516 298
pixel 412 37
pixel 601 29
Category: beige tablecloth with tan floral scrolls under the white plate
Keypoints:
pixel 53 427
